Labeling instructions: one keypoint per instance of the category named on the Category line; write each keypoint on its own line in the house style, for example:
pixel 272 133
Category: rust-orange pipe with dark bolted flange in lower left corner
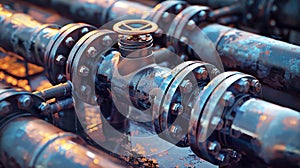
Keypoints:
pixel 27 141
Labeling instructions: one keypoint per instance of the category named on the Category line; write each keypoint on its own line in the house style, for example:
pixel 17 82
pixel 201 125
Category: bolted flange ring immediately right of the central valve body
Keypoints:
pixel 179 91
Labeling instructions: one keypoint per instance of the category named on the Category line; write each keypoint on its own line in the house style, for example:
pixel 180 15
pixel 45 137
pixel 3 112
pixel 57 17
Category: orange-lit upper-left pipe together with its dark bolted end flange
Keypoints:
pixel 40 44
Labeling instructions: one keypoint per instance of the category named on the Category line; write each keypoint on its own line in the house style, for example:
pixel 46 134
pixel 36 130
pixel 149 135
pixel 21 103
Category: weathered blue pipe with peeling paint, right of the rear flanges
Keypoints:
pixel 273 62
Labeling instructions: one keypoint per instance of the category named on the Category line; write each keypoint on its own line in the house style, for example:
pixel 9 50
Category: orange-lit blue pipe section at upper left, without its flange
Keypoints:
pixel 25 36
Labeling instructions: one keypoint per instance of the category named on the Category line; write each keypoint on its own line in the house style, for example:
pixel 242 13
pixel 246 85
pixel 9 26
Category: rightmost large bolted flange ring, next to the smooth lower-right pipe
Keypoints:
pixel 214 109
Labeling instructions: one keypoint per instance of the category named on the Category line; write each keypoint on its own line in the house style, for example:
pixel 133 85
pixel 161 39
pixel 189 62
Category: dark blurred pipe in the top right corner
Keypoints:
pixel 271 14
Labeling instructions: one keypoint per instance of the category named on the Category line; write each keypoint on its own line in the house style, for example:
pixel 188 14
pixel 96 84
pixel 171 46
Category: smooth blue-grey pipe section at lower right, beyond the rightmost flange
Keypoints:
pixel 268 131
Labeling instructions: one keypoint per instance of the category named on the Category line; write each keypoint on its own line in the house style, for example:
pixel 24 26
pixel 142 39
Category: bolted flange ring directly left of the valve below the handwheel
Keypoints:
pixel 84 67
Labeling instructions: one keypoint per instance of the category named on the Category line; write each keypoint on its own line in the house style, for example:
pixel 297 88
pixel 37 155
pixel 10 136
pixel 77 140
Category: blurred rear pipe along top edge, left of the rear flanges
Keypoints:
pixel 95 12
